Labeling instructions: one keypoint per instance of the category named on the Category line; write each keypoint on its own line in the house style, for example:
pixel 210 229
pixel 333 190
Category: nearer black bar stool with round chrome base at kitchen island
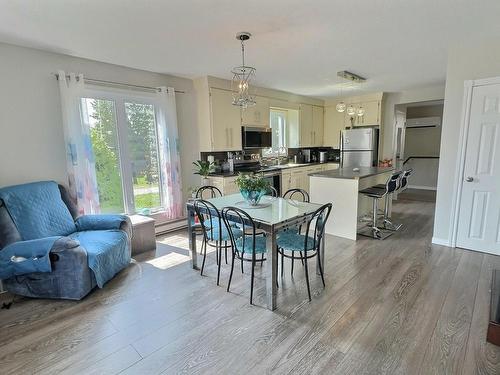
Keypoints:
pixel 377 193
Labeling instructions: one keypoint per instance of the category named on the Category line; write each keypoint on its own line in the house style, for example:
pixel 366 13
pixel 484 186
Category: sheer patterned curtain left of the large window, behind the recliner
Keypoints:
pixel 80 157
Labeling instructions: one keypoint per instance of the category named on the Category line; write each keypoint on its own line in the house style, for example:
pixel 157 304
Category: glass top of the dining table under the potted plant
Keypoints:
pixel 272 211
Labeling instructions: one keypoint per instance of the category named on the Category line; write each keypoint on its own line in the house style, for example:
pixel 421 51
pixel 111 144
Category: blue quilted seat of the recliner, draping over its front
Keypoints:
pixel 108 252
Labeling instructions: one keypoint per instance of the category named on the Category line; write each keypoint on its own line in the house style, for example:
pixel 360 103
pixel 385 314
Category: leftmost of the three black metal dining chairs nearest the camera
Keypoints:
pixel 215 232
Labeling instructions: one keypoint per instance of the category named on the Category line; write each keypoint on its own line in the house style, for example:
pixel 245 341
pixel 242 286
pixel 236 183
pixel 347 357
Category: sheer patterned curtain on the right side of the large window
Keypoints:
pixel 168 144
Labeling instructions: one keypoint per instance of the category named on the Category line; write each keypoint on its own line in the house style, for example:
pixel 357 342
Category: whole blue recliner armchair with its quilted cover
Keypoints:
pixel 47 251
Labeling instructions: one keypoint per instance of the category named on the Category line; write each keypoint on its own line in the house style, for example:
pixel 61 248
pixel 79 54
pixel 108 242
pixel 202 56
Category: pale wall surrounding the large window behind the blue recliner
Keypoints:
pixel 31 133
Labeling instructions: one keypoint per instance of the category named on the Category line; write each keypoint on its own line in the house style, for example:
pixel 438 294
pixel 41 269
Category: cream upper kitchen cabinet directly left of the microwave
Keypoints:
pixel 225 122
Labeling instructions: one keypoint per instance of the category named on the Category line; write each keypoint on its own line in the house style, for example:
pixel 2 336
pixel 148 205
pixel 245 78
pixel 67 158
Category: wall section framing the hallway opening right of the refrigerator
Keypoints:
pixel 434 92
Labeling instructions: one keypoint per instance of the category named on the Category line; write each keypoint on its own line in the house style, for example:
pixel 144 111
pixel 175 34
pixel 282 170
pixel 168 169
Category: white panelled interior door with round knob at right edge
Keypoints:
pixel 479 217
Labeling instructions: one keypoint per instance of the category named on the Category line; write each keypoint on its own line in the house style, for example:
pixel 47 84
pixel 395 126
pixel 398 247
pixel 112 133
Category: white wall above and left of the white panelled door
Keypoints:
pixel 467 60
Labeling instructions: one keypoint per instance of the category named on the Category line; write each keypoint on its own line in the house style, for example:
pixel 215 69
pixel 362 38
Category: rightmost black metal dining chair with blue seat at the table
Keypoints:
pixel 307 245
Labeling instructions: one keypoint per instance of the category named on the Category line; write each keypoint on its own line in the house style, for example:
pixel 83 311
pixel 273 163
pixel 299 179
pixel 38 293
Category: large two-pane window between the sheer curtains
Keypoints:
pixel 123 133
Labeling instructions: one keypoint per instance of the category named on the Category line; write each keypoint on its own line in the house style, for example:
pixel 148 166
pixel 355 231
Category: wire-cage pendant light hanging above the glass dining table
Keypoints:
pixel 242 76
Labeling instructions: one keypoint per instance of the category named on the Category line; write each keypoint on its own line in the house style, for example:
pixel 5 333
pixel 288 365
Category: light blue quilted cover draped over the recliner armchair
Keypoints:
pixel 41 217
